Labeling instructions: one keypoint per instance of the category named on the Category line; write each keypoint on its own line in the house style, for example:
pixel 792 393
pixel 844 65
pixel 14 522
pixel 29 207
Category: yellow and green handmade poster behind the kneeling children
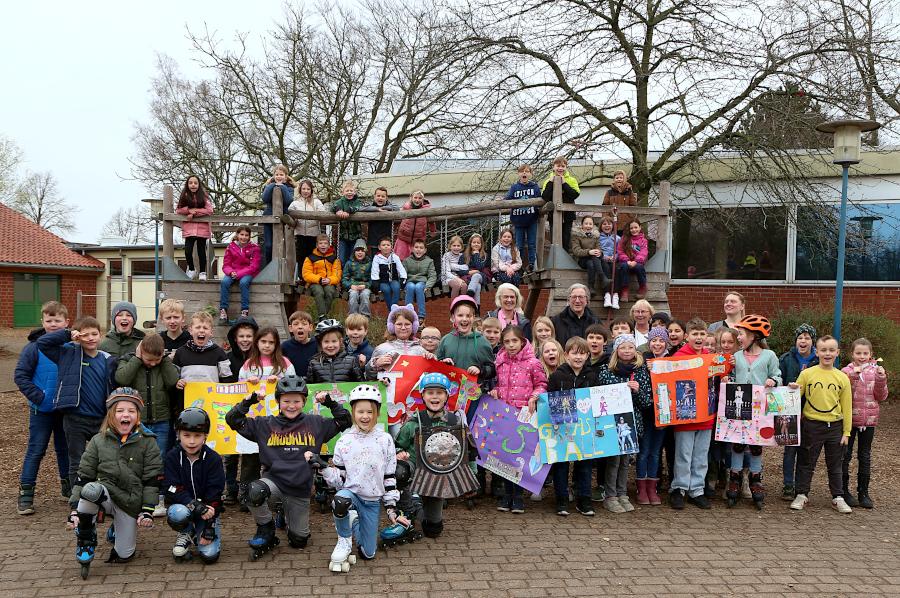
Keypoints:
pixel 218 399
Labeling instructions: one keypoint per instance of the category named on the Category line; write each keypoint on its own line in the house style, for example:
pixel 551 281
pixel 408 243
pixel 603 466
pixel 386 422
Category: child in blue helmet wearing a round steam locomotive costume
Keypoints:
pixel 437 441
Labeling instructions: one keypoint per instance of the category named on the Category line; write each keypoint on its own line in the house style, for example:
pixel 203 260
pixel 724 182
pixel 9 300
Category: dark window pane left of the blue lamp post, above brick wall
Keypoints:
pixel 730 243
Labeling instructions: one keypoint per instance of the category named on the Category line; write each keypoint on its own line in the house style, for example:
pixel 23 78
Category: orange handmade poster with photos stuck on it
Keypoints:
pixel 681 390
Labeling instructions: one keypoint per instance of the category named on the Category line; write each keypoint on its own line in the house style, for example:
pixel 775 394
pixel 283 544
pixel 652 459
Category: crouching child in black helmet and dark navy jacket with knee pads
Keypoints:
pixel 194 482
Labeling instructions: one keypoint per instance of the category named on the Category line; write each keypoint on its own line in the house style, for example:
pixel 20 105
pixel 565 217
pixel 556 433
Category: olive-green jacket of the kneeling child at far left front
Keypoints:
pixel 130 471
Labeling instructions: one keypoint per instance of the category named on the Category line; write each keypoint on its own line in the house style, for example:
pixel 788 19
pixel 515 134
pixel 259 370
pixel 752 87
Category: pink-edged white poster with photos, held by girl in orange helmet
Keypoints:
pixel 756 415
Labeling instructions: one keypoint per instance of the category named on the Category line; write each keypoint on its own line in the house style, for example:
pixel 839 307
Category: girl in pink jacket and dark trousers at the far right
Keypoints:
pixel 869 382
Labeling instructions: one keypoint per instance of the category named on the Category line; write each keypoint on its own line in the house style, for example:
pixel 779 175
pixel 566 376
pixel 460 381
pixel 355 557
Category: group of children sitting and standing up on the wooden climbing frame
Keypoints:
pixel 388 259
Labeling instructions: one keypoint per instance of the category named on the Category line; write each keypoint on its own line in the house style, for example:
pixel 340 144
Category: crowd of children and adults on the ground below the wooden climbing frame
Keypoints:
pixel 134 452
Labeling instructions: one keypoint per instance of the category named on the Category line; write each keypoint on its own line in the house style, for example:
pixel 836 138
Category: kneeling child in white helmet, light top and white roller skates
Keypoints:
pixel 362 472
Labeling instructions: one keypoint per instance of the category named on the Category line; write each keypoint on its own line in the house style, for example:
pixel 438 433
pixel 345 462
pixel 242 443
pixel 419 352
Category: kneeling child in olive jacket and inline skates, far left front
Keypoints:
pixel 120 473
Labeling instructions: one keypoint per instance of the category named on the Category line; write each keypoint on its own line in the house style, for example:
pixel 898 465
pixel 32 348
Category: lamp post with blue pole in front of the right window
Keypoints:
pixel 847 141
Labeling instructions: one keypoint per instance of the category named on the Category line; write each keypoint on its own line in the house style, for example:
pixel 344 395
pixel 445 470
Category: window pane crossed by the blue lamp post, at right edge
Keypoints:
pixel 873 242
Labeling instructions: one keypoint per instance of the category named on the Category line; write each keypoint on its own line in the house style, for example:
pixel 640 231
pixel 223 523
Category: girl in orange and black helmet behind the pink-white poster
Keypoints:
pixel 753 364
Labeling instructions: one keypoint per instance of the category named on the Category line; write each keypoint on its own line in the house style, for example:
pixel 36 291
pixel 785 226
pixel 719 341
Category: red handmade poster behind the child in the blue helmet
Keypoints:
pixel 406 398
